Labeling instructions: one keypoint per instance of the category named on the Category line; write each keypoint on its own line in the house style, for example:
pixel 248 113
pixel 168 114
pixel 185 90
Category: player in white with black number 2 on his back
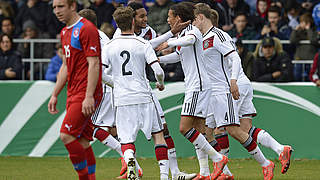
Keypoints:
pixel 135 108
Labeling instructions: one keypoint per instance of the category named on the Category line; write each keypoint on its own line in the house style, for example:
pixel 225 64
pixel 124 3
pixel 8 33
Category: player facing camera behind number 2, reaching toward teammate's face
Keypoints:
pixel 141 29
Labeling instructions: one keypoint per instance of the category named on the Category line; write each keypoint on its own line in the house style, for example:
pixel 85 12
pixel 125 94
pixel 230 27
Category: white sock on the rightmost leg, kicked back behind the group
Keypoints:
pixel 266 140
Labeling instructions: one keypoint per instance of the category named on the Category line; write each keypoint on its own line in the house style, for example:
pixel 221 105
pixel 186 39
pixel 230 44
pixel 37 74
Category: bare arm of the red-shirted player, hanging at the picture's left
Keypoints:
pixel 61 81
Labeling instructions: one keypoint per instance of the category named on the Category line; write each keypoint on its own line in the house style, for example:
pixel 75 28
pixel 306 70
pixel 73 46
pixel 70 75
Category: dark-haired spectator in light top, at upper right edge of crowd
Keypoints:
pixel 292 9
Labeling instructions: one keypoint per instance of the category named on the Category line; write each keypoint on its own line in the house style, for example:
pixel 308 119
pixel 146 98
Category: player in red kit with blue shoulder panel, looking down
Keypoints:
pixel 81 68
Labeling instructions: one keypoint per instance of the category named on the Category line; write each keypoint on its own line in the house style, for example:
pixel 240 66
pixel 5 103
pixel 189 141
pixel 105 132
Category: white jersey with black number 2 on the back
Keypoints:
pixel 128 56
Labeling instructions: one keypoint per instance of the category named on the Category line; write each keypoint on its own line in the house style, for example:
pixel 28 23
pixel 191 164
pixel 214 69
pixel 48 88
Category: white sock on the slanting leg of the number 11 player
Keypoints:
pixel 201 143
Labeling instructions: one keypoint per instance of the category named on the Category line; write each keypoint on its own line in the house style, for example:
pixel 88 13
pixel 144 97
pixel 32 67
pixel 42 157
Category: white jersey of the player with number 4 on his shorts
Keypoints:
pixel 217 44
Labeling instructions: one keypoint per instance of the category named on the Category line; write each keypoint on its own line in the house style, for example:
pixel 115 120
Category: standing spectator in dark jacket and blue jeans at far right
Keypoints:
pixel 304 31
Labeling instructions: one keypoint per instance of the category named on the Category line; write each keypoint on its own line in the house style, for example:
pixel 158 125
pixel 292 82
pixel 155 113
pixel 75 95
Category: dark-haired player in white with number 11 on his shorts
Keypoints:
pixel 194 110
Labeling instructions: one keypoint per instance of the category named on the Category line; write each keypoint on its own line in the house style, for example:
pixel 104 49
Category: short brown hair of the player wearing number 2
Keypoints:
pixel 123 17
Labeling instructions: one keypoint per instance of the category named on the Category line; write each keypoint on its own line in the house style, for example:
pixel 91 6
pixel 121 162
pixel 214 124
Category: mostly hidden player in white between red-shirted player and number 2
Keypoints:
pixel 104 119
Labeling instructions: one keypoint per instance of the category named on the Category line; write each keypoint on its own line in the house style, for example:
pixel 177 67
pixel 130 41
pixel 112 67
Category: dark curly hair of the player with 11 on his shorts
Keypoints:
pixel 185 10
